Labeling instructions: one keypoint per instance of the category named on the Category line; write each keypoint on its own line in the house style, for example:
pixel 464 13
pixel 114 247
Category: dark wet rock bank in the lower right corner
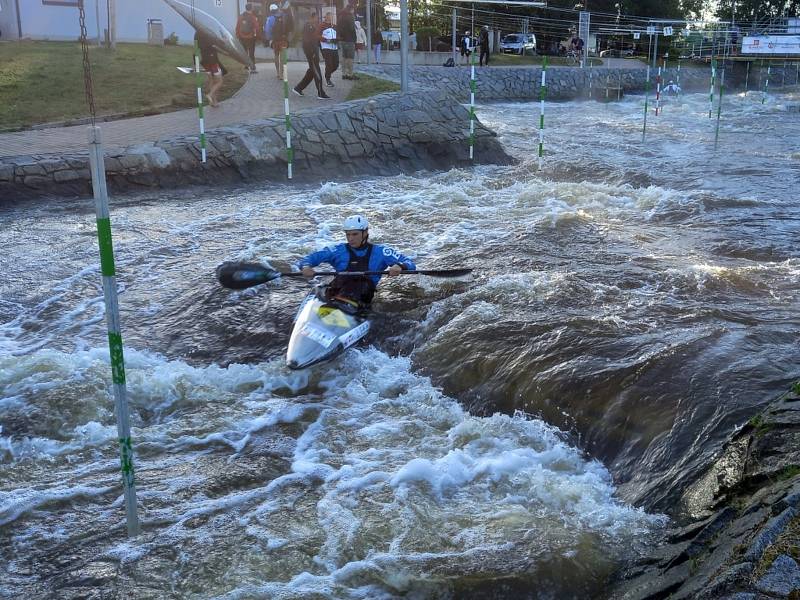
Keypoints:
pixel 741 538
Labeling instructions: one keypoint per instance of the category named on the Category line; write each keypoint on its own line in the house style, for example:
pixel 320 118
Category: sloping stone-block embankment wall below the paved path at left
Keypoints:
pixel 387 134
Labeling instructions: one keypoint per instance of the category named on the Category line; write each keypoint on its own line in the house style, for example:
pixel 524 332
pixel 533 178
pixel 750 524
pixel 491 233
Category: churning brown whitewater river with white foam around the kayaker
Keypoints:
pixel 513 435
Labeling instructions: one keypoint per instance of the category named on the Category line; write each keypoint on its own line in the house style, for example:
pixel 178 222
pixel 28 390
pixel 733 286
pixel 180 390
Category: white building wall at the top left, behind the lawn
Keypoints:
pixel 41 21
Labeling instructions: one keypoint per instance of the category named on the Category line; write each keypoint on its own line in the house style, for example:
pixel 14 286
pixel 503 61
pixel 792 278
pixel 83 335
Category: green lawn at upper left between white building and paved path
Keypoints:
pixel 42 82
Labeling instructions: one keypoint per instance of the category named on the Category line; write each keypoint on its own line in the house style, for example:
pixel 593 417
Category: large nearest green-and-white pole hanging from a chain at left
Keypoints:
pixel 97 166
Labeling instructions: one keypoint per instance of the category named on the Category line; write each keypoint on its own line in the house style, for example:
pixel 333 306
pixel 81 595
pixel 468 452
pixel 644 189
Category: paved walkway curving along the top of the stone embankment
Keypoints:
pixel 260 97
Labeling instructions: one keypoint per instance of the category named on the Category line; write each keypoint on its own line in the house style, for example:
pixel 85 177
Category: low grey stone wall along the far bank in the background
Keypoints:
pixel 523 83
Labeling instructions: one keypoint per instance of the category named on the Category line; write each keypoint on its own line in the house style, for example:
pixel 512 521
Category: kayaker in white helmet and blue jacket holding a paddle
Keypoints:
pixel 358 254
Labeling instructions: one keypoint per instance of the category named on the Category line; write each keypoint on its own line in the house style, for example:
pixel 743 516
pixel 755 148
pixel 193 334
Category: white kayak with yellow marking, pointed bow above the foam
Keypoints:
pixel 322 331
